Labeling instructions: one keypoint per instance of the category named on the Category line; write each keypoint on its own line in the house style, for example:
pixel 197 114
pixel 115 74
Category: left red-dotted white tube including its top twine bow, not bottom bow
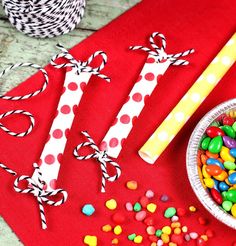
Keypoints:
pixel 77 76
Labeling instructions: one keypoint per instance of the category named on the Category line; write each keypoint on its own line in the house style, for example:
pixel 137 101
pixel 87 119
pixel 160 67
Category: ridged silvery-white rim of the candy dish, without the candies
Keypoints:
pixel 191 162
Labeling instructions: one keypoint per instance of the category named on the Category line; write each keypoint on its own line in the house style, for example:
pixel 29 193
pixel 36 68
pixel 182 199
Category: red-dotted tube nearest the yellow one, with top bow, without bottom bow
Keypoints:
pixel 156 64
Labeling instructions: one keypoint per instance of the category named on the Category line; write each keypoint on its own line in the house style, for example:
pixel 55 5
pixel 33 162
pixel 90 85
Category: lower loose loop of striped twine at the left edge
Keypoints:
pixel 21 112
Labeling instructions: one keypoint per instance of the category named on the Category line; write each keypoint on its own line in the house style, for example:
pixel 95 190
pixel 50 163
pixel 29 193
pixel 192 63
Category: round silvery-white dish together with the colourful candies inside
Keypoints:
pixel 211 162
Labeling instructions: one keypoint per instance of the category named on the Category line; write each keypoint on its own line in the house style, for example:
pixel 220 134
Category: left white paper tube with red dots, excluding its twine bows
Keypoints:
pixel 50 159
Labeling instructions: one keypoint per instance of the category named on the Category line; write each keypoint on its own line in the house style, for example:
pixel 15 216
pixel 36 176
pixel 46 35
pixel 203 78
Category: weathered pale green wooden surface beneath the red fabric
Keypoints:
pixel 17 47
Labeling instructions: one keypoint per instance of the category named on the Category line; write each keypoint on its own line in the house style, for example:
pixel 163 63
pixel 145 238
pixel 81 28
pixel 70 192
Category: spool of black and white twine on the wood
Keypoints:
pixel 44 18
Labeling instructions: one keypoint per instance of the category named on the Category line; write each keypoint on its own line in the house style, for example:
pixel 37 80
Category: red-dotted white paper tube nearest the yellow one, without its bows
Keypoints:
pixel 123 123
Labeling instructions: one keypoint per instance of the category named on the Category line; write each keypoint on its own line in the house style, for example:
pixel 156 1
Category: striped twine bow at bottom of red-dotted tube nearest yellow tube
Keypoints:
pixel 101 157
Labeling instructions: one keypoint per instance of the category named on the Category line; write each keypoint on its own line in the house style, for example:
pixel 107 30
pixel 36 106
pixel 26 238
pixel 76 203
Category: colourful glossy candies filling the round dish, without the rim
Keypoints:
pixel 216 162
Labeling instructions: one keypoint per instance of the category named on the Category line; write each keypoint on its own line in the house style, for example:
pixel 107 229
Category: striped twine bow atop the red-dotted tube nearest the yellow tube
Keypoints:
pixel 160 53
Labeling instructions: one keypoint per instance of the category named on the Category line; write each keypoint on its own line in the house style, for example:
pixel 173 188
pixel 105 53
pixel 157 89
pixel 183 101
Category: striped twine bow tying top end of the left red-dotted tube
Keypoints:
pixel 81 66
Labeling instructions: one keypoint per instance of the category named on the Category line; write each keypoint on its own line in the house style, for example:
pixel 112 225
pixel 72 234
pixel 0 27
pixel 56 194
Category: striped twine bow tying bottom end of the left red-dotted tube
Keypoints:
pixel 36 189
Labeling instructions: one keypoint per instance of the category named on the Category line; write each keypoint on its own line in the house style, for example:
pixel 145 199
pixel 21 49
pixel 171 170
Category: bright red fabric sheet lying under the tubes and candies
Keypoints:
pixel 203 25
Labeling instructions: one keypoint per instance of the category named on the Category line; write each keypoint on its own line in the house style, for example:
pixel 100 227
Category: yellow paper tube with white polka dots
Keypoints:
pixel 164 134
